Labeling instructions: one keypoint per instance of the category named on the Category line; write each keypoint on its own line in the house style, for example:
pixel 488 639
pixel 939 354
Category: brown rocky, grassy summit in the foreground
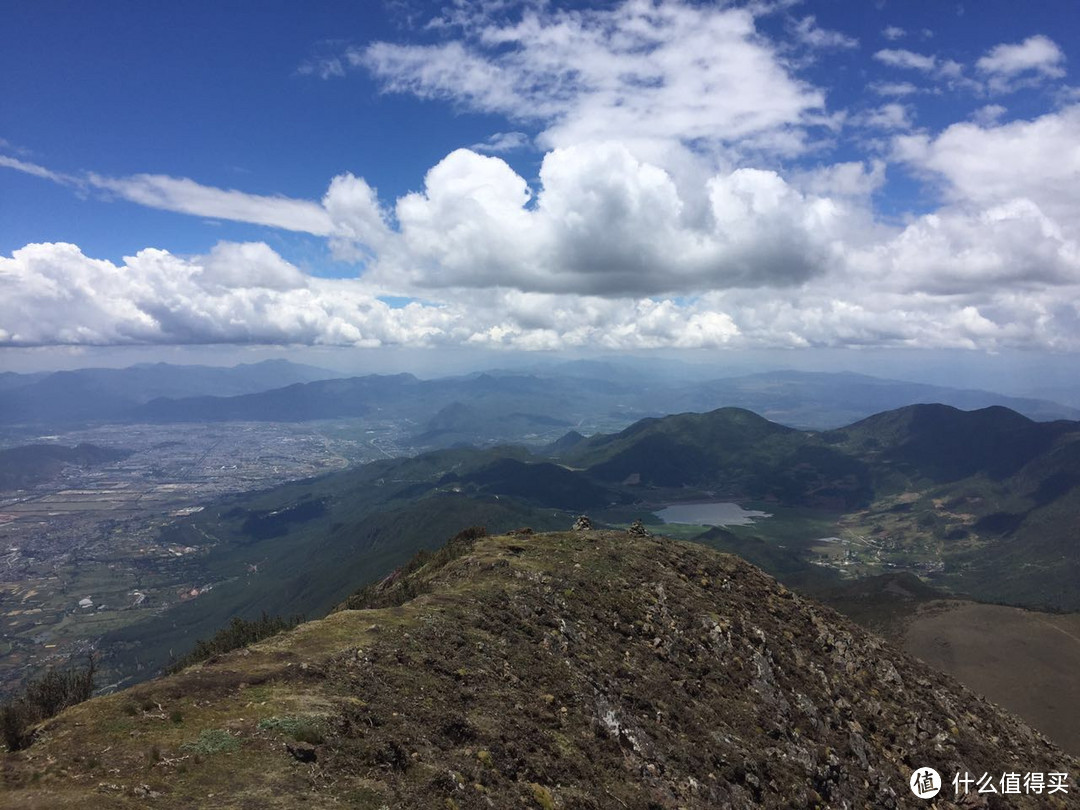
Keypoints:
pixel 580 670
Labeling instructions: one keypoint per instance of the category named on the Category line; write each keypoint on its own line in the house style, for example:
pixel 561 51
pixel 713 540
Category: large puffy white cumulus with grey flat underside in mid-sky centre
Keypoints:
pixel 604 224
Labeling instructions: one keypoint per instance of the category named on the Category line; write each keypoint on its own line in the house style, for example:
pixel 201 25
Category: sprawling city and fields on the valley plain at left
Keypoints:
pixel 84 552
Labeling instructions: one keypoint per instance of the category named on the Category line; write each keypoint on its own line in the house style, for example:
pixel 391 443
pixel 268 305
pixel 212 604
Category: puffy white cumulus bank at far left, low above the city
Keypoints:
pixel 239 293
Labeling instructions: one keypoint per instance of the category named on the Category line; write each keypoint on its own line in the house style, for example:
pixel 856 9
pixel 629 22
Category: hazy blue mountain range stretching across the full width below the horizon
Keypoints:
pixel 484 408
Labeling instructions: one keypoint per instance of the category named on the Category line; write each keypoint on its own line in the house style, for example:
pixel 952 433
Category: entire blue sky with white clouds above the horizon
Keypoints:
pixel 698 179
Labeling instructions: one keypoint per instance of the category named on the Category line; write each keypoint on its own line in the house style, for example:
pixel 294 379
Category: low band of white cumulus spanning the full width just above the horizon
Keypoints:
pixel 925 287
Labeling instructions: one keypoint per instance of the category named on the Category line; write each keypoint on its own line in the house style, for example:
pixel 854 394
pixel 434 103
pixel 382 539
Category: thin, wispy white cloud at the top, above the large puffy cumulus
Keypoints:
pixel 668 72
